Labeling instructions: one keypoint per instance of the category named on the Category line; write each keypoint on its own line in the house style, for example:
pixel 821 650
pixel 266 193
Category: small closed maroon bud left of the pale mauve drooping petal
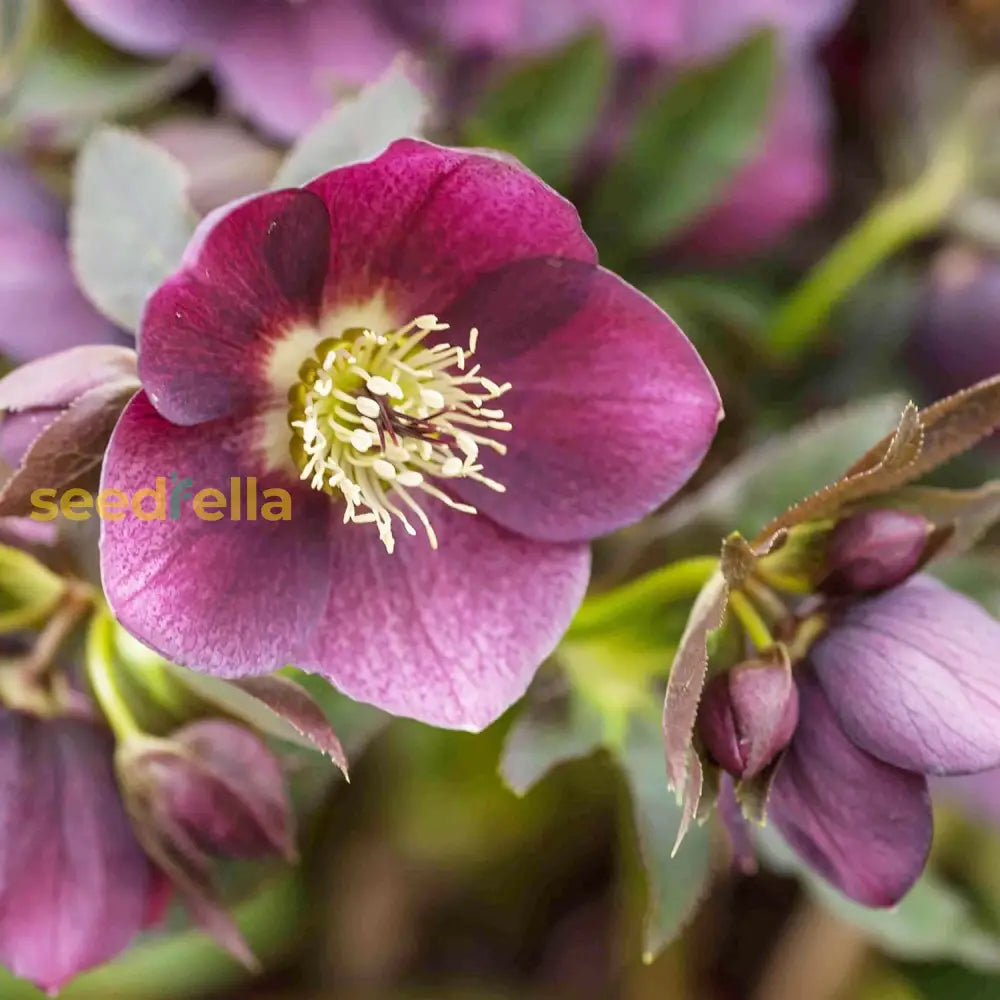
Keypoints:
pixel 748 715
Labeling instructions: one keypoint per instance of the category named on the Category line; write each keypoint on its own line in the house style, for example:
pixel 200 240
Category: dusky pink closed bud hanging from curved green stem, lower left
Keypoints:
pixel 213 789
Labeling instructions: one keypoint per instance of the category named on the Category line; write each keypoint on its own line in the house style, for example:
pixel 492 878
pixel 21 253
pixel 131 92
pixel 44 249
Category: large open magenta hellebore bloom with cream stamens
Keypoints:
pixel 423 351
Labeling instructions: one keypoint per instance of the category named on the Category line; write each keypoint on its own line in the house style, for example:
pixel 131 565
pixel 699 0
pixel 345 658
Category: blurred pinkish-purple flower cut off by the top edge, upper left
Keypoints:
pixel 280 62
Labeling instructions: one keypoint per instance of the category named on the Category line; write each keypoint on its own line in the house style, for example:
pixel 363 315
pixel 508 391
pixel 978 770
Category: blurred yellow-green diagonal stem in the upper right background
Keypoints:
pixel 889 226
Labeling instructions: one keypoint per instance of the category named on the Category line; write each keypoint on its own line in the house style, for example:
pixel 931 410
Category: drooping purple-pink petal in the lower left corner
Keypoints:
pixel 73 880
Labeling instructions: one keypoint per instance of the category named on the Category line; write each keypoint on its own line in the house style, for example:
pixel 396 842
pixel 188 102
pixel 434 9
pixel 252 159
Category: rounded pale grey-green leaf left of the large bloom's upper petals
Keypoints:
pixel 130 221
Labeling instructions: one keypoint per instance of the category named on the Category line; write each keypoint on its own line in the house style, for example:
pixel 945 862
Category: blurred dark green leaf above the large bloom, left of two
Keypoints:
pixel 545 111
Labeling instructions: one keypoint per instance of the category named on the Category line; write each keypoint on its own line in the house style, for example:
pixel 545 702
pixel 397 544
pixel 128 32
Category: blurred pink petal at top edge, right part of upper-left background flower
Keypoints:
pixel 285 64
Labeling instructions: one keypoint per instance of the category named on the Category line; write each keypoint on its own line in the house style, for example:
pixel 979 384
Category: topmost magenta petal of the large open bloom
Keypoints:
pixel 420 223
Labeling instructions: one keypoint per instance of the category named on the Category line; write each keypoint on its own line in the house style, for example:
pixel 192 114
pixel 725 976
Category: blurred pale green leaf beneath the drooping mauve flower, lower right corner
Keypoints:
pixel 932 922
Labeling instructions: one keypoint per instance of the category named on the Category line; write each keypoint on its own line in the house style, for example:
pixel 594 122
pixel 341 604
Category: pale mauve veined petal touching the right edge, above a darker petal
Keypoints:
pixel 912 677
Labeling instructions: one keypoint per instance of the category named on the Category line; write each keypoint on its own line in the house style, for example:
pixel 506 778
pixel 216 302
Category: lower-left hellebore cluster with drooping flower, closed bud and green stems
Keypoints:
pixel 121 781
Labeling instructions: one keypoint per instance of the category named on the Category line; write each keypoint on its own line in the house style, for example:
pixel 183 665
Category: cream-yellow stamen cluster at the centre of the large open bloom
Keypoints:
pixel 381 418
